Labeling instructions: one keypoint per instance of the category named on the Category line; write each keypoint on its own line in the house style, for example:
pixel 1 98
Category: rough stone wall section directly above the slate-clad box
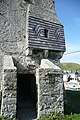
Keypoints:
pixel 44 9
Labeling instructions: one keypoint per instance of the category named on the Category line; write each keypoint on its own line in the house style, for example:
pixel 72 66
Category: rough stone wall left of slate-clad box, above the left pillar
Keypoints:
pixel 12 26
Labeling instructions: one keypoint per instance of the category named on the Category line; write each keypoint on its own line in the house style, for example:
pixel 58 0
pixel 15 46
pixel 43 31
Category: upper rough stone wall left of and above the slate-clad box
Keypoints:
pixel 14 23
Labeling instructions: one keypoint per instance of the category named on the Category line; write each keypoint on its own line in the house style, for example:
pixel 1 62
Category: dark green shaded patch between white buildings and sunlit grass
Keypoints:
pixel 71 102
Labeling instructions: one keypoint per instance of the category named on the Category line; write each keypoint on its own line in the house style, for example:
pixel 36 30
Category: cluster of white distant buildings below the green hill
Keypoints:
pixel 71 80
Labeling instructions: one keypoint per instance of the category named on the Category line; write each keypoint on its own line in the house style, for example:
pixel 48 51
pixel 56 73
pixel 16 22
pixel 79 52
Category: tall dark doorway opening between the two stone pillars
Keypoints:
pixel 26 97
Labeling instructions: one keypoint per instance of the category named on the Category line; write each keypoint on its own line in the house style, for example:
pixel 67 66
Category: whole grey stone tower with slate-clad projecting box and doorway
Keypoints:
pixel 31 45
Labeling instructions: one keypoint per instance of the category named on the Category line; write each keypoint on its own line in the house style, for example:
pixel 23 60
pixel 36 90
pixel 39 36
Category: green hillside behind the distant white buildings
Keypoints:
pixel 70 66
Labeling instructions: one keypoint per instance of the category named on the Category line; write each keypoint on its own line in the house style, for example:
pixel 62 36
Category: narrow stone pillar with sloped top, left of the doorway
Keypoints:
pixel 8 105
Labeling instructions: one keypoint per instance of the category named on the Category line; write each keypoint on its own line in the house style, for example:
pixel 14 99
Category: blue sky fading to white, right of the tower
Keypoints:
pixel 68 12
